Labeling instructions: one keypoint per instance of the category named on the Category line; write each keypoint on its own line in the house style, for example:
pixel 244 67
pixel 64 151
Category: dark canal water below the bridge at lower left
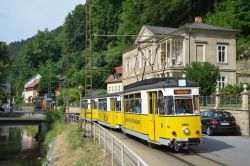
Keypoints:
pixel 18 147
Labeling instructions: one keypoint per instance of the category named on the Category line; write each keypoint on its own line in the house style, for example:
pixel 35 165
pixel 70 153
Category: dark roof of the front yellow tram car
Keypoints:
pixel 153 83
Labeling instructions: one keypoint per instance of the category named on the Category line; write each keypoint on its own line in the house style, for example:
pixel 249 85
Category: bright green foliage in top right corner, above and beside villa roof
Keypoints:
pixel 233 14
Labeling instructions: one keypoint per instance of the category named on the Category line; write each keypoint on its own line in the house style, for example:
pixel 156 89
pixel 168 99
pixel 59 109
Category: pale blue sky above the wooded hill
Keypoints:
pixel 21 19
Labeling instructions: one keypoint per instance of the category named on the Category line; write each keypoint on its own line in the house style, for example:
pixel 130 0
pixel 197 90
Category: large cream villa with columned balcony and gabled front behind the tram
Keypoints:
pixel 164 52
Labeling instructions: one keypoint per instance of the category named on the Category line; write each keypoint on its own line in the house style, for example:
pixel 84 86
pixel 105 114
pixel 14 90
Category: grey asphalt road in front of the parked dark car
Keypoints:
pixel 229 150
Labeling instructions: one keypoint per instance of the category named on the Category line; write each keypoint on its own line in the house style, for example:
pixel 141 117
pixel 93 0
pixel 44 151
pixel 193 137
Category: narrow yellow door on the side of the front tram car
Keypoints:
pixel 152 111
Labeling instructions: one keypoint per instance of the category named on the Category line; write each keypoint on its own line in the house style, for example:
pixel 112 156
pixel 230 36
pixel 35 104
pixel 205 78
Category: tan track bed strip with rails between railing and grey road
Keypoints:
pixel 162 156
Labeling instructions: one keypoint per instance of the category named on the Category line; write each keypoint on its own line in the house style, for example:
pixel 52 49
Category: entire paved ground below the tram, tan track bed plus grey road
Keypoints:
pixel 217 150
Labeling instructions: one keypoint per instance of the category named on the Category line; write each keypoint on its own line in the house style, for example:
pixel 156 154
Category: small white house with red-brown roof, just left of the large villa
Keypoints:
pixel 114 81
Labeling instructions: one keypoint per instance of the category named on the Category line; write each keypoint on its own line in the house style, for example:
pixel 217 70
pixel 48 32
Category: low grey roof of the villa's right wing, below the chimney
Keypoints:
pixel 207 27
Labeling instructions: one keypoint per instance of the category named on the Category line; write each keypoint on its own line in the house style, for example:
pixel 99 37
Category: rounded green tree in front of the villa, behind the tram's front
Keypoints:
pixel 205 74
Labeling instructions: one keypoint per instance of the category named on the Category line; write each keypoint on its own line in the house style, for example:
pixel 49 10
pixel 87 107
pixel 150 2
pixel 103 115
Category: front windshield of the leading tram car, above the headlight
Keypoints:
pixel 183 106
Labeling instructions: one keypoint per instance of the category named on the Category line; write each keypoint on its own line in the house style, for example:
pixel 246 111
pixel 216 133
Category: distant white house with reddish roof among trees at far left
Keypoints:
pixel 31 88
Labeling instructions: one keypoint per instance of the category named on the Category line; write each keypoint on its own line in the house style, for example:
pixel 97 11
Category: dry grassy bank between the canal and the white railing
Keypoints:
pixel 70 149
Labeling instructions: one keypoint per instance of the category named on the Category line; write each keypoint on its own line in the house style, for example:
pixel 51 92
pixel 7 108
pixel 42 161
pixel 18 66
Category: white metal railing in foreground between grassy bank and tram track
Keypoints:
pixel 119 152
